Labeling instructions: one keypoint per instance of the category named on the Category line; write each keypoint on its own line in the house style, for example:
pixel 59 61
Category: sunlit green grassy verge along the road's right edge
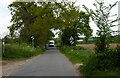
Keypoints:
pixel 76 54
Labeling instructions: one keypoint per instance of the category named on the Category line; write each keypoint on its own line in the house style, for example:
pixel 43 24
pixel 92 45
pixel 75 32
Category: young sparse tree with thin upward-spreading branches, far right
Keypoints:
pixel 101 18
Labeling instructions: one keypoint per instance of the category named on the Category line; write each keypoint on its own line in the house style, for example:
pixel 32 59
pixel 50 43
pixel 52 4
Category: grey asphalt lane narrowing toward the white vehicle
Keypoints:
pixel 51 63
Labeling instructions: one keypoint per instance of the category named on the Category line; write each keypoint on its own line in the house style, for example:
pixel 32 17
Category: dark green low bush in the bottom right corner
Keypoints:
pixel 101 63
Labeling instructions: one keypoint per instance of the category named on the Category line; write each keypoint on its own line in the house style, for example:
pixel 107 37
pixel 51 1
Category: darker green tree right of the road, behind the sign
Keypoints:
pixel 80 27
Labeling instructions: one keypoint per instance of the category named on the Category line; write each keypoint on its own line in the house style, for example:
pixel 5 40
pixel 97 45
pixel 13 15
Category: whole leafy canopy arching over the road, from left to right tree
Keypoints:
pixel 38 18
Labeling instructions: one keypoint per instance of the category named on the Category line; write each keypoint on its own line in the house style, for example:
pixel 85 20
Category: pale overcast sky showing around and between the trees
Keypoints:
pixel 5 15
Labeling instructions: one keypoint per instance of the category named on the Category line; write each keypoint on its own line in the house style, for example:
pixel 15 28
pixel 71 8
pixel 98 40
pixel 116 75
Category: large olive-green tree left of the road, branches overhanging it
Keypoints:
pixel 37 19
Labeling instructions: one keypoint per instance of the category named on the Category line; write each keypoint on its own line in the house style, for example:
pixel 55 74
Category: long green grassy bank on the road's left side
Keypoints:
pixel 20 51
